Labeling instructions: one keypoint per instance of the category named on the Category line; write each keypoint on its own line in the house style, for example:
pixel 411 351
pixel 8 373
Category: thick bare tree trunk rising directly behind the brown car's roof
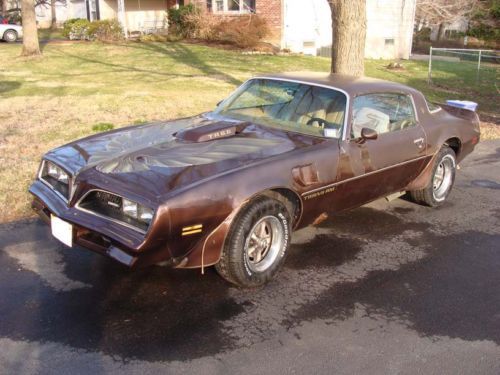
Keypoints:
pixel 349 35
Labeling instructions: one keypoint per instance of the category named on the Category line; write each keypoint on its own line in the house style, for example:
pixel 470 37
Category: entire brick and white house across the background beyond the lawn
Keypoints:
pixel 303 26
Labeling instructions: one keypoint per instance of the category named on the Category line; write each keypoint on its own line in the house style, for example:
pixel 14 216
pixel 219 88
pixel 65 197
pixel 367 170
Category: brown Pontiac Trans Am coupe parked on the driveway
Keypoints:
pixel 228 187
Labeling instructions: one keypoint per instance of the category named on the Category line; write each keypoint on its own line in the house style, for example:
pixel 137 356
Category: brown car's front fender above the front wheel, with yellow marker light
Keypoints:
pixel 210 207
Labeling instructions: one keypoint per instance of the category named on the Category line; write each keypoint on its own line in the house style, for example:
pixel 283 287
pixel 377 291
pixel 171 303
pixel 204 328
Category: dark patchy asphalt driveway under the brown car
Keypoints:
pixel 388 288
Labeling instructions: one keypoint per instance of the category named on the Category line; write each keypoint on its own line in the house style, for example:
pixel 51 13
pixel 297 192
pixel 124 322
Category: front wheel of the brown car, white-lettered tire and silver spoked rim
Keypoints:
pixel 238 264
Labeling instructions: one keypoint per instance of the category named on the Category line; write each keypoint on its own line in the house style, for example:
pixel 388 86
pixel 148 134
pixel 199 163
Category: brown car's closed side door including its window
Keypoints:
pixel 370 169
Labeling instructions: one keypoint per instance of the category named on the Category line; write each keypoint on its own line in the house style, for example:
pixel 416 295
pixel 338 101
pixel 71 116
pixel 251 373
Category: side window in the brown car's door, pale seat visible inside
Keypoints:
pixel 383 113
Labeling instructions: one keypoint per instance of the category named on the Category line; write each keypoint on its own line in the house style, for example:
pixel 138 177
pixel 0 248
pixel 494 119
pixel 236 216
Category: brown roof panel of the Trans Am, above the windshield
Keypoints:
pixel 352 85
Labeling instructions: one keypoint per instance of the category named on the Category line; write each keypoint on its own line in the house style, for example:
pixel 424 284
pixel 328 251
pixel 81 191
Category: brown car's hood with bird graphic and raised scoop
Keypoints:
pixel 155 159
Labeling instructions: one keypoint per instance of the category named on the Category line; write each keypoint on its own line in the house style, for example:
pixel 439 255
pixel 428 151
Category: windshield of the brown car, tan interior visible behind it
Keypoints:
pixel 287 105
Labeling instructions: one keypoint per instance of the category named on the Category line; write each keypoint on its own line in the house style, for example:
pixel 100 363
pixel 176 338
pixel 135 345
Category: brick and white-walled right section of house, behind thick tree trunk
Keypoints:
pixel 305 26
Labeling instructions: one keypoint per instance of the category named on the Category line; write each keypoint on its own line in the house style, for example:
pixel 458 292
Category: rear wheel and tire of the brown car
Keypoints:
pixel 431 195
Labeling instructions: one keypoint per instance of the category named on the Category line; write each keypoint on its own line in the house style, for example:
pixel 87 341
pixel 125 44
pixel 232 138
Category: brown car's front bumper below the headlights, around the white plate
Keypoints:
pixel 123 244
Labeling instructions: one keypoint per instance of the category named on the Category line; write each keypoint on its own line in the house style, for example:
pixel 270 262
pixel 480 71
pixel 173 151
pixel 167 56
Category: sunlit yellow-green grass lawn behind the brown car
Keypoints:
pixel 80 88
